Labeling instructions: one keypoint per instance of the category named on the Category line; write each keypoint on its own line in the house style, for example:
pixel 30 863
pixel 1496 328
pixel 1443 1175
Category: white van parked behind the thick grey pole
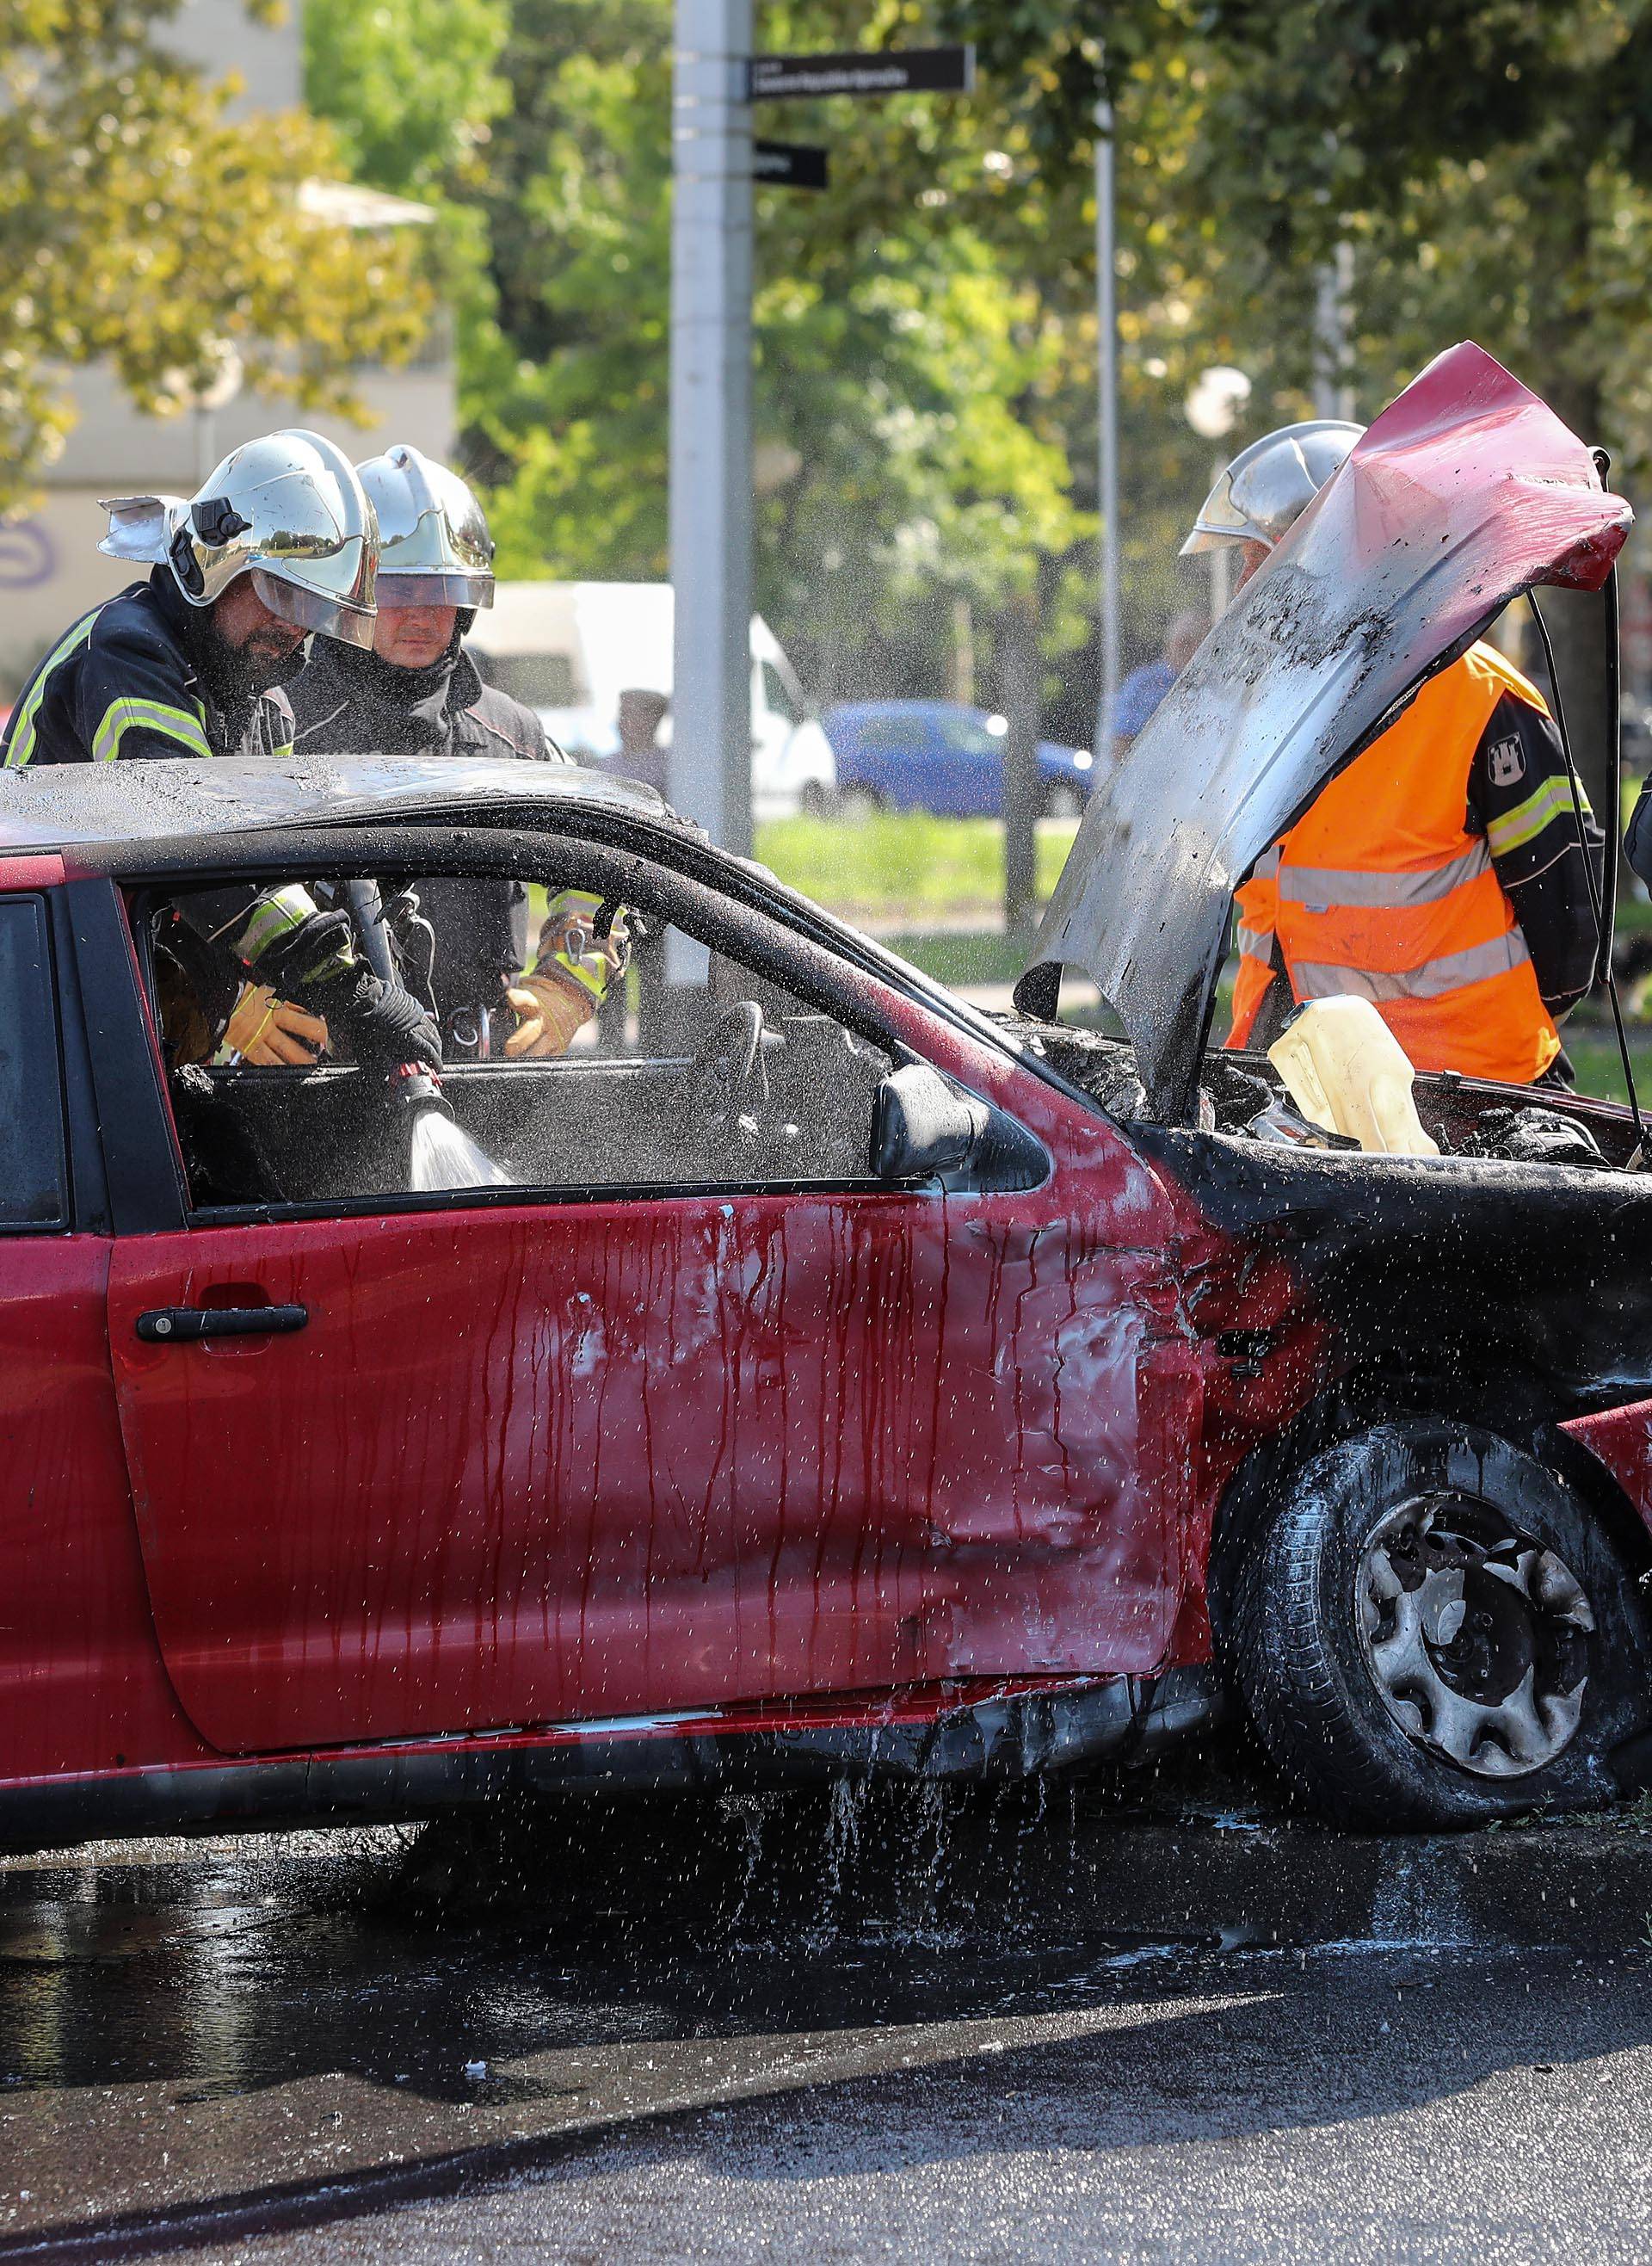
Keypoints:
pixel 572 649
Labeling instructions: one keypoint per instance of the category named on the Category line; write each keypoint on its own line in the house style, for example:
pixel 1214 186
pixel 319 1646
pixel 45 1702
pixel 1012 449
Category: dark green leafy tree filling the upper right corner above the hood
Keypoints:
pixel 1488 167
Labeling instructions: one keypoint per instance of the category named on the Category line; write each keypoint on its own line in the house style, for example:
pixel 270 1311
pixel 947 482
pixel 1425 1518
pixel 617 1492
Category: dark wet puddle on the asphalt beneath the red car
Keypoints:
pixel 244 1966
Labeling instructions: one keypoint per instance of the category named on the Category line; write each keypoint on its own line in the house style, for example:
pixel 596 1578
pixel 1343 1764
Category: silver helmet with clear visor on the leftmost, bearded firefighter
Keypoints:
pixel 291 513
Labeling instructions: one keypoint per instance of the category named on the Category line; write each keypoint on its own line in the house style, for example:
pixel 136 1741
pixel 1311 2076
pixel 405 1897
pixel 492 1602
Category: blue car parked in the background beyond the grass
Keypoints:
pixel 937 756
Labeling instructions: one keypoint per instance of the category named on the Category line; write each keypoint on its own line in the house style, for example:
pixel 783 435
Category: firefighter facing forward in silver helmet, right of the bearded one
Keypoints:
pixel 416 690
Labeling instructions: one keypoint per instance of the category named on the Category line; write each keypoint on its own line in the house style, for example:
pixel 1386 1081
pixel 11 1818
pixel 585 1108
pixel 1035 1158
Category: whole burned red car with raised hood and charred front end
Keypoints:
pixel 828 1379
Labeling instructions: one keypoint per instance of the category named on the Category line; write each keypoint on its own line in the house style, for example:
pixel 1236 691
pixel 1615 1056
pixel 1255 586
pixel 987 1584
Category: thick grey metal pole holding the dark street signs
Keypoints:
pixel 710 765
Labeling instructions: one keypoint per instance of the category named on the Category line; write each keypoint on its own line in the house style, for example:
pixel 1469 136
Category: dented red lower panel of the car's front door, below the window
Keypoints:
pixel 654 1454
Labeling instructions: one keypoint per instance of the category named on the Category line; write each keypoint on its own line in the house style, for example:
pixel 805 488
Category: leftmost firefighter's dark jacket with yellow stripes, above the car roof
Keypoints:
pixel 137 679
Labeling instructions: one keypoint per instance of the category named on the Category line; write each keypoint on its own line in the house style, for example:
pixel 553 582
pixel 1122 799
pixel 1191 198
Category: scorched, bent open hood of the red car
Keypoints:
pixel 1463 495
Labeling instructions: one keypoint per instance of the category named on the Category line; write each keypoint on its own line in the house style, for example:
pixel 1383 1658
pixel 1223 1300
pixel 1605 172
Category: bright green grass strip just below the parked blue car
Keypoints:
pixel 905 869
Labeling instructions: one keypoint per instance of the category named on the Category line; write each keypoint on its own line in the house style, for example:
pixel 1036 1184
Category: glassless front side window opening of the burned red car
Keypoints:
pixel 586 1046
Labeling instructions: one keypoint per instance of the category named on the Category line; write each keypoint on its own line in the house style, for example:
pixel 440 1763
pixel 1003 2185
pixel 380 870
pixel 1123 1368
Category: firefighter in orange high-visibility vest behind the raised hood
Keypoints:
pixel 1440 876
